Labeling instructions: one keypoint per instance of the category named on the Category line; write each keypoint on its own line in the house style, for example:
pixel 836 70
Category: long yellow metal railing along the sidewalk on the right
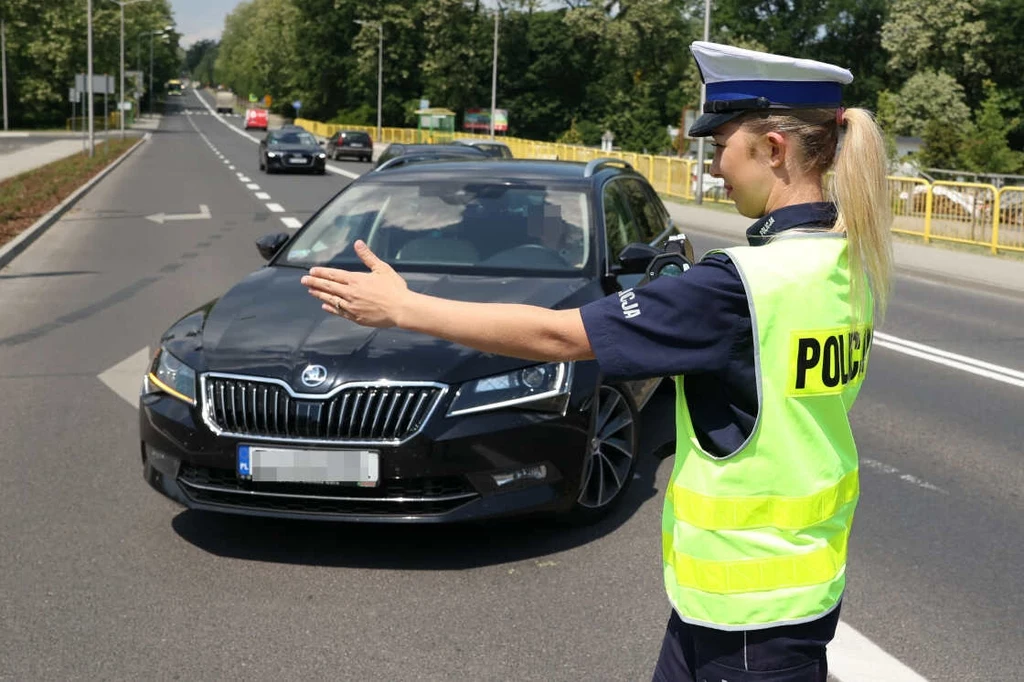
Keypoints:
pixel 962 212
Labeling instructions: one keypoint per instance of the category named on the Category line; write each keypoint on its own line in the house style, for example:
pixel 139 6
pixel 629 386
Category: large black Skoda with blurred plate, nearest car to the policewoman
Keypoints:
pixel 260 403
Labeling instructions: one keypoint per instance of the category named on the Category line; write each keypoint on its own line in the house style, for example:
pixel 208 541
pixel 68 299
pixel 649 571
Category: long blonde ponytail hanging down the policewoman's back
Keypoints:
pixel 861 191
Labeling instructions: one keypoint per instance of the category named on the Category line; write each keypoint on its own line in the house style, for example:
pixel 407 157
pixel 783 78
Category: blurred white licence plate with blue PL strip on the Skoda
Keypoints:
pixel 309 466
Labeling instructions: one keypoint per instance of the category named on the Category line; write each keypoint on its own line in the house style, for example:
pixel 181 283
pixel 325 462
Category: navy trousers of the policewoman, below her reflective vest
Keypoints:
pixel 786 654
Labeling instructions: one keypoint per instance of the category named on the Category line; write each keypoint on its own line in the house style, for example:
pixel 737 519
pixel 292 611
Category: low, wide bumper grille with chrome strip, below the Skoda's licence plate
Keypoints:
pixel 400 498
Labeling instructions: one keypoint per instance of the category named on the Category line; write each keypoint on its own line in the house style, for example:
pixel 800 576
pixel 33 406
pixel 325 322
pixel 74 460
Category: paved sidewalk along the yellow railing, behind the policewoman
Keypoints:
pixel 931 263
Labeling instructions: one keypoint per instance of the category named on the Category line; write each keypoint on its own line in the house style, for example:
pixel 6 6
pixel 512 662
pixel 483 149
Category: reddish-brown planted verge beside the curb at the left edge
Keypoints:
pixel 26 198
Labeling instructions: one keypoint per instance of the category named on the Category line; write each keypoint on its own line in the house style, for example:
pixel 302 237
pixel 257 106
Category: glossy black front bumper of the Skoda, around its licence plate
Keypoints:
pixel 444 475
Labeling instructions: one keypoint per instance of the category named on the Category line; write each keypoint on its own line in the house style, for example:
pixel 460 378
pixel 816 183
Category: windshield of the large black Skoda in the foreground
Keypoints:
pixel 485 228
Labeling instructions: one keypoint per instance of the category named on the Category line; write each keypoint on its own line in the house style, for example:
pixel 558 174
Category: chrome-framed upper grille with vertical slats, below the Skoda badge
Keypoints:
pixel 358 414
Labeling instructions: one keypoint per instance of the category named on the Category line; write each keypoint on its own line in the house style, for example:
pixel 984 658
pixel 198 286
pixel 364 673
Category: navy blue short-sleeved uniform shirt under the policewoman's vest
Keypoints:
pixel 698 325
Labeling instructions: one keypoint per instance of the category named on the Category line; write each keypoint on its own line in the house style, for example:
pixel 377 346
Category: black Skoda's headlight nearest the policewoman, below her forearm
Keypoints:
pixel 544 388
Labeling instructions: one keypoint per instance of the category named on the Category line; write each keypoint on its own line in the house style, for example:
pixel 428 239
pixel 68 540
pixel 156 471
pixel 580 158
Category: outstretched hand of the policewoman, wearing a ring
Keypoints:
pixel 371 300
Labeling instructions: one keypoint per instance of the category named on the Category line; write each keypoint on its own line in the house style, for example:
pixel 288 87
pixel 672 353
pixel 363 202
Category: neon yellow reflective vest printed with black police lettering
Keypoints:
pixel 759 539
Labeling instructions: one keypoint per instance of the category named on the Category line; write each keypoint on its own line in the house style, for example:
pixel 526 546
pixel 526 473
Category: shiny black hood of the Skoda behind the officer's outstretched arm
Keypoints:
pixel 270 326
